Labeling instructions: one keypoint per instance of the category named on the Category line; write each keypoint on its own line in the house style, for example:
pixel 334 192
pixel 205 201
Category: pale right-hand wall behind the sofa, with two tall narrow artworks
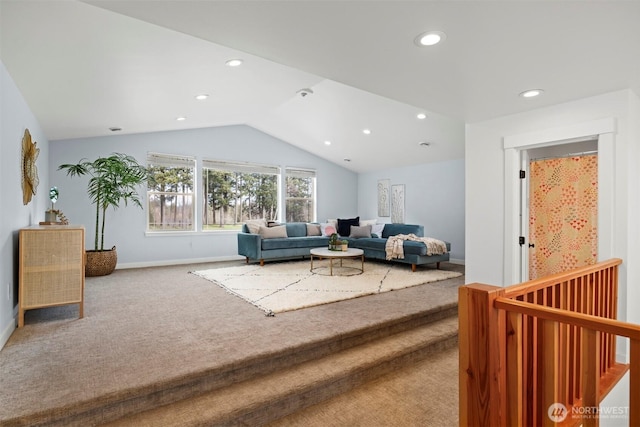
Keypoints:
pixel 434 197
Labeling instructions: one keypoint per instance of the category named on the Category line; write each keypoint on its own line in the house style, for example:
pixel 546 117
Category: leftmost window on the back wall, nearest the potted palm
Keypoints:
pixel 170 192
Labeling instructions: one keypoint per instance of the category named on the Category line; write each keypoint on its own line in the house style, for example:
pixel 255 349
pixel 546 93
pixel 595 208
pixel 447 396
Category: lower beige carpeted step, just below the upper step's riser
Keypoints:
pixel 286 391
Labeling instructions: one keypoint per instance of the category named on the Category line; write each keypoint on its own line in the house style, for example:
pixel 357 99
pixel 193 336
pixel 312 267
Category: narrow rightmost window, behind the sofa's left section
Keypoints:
pixel 301 195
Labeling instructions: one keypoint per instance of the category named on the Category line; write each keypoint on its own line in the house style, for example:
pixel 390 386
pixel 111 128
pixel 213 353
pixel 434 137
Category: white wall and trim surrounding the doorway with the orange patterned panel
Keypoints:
pixel 485 185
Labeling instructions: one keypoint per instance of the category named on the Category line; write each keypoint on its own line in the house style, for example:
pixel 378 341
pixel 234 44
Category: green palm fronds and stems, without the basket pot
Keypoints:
pixel 114 180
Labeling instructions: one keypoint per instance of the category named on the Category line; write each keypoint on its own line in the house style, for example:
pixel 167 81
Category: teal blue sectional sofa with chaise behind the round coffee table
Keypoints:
pixel 297 243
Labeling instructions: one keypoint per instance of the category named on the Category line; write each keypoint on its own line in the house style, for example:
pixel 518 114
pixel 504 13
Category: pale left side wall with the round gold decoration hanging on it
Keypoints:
pixel 15 117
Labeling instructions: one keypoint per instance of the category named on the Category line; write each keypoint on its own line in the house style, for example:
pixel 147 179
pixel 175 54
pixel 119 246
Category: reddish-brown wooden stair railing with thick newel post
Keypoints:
pixel 547 343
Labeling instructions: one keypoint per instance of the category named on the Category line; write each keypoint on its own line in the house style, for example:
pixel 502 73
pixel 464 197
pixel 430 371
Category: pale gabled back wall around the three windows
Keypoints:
pixel 336 192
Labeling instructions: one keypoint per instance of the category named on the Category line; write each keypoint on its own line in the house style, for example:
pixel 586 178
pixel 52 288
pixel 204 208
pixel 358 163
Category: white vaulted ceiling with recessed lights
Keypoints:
pixel 86 66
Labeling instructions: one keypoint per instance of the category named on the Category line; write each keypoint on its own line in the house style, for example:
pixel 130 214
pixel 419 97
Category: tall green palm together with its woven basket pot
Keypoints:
pixel 114 180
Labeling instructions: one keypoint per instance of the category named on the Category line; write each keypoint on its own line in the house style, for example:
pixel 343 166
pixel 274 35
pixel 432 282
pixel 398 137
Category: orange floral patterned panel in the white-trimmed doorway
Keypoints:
pixel 563 214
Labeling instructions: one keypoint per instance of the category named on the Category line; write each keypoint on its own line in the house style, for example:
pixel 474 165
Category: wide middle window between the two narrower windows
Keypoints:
pixel 236 192
